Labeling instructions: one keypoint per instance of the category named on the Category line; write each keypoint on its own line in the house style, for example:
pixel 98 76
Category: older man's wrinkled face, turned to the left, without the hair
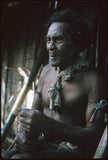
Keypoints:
pixel 59 44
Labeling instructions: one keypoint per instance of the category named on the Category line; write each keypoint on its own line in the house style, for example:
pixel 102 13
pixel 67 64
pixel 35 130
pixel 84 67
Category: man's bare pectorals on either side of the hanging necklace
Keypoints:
pixel 72 92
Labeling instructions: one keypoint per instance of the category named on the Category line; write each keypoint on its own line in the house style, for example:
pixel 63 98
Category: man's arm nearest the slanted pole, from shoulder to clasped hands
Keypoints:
pixel 29 130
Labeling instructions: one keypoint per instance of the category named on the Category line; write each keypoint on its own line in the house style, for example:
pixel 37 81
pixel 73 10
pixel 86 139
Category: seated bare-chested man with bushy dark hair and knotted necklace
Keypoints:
pixel 59 125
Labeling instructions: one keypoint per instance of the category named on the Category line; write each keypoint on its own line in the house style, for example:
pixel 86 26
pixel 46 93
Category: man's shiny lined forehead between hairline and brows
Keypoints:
pixel 57 28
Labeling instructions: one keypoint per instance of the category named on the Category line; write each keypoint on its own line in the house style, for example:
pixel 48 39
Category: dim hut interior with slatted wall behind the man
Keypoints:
pixel 22 37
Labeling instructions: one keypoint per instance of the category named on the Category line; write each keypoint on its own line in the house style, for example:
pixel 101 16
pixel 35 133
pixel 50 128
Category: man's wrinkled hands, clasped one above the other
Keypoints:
pixel 26 139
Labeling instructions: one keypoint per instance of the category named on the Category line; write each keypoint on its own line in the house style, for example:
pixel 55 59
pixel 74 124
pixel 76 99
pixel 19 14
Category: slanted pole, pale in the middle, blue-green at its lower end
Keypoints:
pixel 20 98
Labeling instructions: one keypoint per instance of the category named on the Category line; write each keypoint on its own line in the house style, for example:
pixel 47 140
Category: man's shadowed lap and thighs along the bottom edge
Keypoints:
pixel 46 154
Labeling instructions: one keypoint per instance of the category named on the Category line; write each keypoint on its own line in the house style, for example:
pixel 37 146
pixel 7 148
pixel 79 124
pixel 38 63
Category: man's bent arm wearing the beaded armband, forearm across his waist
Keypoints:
pixel 93 130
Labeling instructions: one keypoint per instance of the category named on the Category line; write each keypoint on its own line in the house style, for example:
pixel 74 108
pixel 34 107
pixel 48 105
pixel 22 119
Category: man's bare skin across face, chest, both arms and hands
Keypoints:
pixel 73 123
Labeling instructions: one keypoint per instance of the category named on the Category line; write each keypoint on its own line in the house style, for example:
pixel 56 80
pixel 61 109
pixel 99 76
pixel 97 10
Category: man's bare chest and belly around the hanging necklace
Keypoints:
pixel 72 97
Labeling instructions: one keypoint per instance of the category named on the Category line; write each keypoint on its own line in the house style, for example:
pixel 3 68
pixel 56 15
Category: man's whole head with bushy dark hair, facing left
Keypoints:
pixel 67 35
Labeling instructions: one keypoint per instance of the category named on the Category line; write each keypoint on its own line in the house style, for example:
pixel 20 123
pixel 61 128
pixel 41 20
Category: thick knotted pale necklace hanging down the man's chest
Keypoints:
pixel 54 91
